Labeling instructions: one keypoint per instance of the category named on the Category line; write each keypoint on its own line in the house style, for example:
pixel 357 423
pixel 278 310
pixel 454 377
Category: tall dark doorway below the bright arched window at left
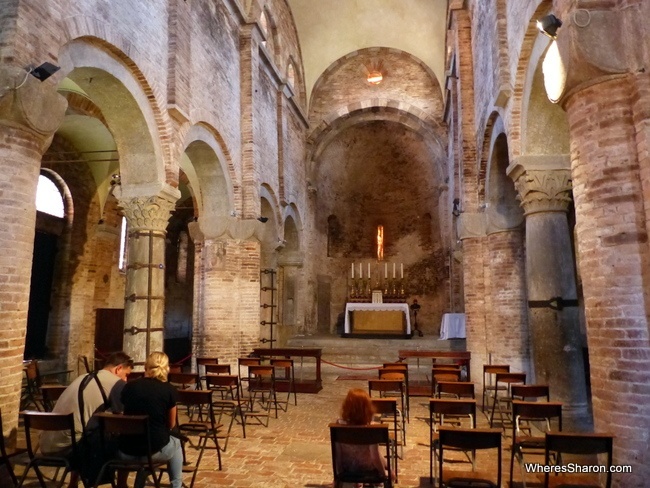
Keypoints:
pixel 45 248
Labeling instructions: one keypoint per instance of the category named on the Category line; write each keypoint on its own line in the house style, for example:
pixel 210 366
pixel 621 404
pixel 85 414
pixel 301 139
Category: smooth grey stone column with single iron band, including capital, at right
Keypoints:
pixel 544 187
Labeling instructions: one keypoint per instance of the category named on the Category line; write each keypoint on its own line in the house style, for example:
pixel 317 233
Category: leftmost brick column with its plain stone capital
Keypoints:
pixel 30 112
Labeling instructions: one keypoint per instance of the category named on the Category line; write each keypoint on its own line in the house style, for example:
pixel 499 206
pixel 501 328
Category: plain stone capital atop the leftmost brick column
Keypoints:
pixel 30 105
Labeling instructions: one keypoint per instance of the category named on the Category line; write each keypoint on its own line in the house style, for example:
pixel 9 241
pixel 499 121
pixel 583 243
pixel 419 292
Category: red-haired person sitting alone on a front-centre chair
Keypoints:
pixel 357 409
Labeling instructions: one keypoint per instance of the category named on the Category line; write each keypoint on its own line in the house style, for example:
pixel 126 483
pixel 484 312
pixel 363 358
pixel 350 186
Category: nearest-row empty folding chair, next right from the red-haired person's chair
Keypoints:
pixel 469 440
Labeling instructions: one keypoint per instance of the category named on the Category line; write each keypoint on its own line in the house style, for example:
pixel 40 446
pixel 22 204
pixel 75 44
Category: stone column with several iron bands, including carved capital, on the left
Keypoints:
pixel 144 301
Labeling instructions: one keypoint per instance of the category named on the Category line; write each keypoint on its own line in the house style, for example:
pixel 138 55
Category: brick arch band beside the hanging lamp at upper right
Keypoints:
pixel 519 92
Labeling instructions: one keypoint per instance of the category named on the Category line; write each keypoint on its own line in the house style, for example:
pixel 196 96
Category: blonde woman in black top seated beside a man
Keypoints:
pixel 152 395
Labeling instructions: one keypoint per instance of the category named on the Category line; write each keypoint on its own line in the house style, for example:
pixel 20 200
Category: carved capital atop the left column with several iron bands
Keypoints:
pixel 150 212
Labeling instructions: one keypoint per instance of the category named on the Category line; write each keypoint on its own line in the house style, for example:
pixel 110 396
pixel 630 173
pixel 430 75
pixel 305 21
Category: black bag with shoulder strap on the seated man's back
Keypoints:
pixel 91 452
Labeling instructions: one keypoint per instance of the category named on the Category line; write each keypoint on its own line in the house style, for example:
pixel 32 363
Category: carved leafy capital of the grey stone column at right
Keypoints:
pixel 544 190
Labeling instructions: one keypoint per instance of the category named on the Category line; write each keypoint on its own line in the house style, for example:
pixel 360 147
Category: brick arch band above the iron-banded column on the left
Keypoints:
pixel 93 31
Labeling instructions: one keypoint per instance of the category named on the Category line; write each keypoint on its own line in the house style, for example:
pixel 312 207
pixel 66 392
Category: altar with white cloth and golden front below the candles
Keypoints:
pixel 377 319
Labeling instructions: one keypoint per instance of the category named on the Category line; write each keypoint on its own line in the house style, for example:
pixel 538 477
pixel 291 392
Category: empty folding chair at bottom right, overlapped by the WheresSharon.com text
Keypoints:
pixel 585 446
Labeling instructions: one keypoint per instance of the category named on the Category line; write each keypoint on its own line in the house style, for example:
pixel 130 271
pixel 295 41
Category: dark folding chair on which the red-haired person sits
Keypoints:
pixel 359 435
